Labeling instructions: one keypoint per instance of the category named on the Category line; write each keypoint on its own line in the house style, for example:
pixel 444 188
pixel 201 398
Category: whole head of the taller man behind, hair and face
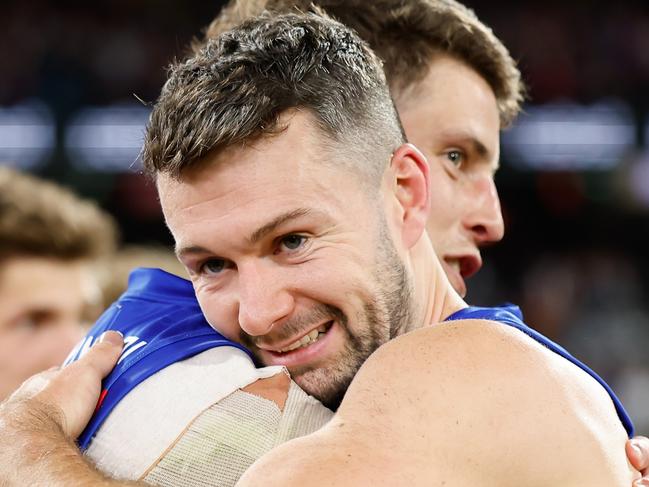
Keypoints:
pixel 455 86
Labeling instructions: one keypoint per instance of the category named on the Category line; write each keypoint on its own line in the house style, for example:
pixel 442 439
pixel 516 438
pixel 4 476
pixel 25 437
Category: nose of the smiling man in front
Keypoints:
pixel 263 298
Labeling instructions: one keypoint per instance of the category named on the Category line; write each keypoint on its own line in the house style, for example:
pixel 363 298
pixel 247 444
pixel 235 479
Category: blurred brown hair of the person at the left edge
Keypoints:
pixel 41 219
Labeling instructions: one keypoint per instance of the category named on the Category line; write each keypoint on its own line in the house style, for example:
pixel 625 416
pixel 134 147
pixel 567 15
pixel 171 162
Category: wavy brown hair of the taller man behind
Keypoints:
pixel 407 35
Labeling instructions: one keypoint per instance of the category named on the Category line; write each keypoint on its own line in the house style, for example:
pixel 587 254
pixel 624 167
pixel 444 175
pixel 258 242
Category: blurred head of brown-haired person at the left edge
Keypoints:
pixel 49 240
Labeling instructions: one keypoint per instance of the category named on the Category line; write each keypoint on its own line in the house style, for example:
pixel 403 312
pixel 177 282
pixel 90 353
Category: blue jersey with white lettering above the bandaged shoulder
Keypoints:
pixel 161 322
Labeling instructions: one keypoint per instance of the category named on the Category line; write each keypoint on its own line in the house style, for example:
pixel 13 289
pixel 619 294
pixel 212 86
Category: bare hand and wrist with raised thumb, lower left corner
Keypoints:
pixel 39 421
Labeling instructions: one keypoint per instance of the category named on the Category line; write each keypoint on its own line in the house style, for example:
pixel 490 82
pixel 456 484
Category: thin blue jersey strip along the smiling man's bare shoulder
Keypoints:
pixel 511 315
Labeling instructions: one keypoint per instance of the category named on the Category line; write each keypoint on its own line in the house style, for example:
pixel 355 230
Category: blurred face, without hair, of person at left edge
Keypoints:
pixel 42 304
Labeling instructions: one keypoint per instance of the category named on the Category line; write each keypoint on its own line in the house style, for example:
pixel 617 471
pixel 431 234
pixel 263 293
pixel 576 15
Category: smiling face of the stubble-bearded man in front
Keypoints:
pixel 296 258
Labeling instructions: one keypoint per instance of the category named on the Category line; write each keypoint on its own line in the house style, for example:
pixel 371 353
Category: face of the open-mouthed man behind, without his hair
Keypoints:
pixel 452 117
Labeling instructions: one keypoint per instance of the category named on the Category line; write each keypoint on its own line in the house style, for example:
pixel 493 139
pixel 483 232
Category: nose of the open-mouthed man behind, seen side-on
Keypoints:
pixel 485 220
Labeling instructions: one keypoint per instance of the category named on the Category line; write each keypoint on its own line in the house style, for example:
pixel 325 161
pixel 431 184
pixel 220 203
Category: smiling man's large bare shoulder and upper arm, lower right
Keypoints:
pixel 464 403
